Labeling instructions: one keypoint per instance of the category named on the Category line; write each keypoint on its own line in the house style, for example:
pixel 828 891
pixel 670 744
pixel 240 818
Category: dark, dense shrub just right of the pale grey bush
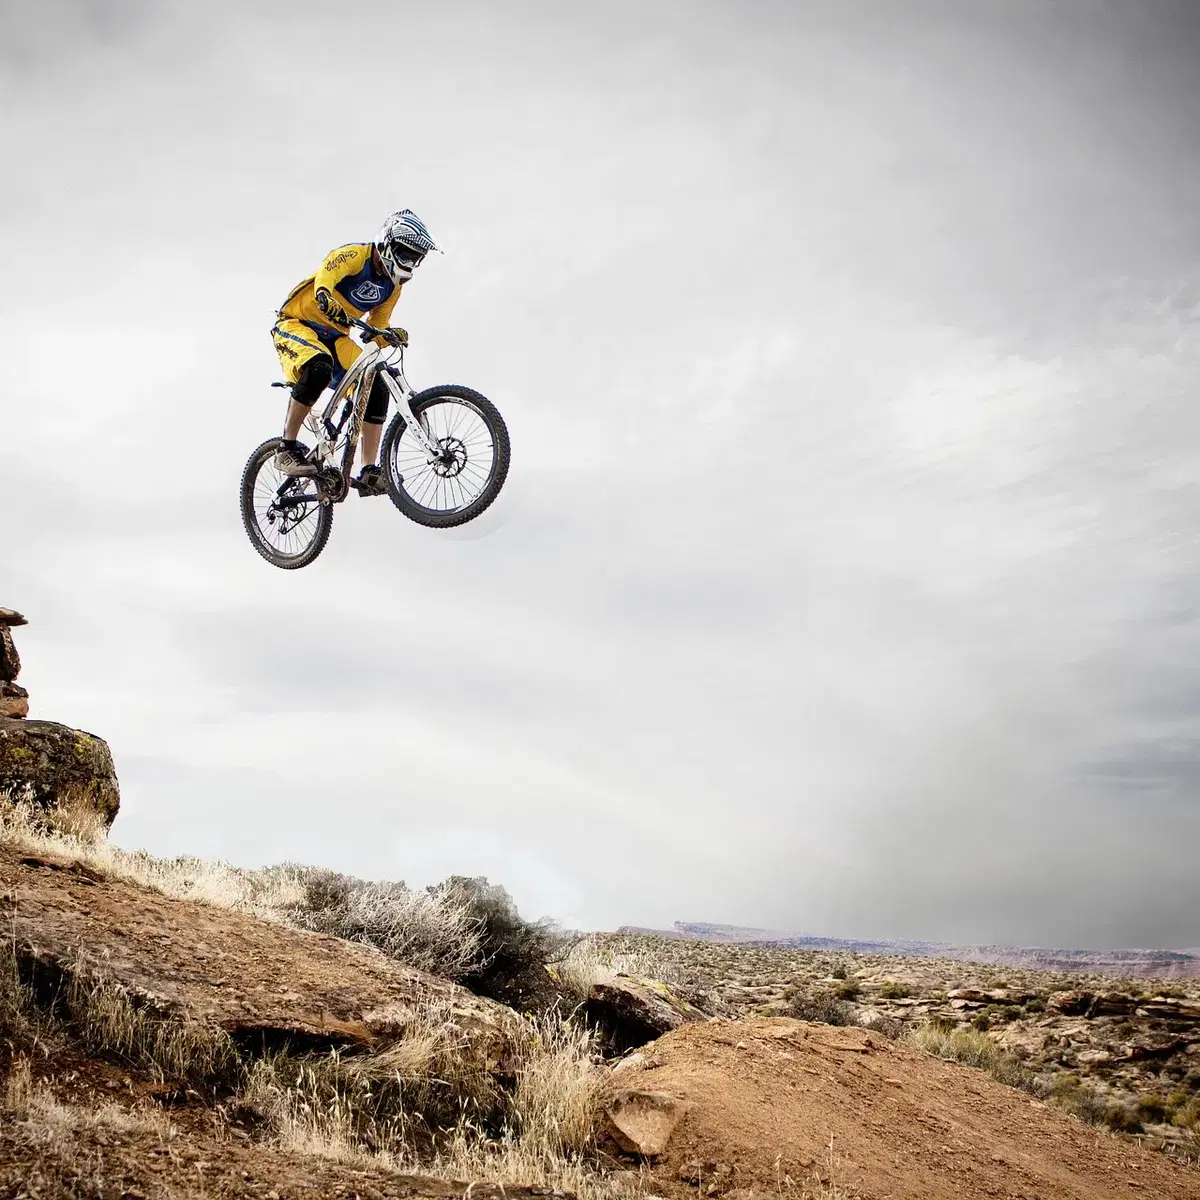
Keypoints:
pixel 514 953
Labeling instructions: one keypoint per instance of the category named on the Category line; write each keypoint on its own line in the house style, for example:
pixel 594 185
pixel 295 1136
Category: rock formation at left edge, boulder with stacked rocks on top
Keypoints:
pixel 44 764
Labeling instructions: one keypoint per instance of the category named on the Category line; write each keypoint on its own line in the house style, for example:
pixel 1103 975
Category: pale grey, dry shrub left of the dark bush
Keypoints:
pixel 435 932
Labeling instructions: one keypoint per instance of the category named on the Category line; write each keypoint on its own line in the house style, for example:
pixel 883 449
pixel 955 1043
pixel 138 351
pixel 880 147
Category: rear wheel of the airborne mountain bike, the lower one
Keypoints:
pixel 286 520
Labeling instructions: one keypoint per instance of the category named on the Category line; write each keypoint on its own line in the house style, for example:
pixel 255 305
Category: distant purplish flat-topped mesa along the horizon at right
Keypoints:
pixel 1126 963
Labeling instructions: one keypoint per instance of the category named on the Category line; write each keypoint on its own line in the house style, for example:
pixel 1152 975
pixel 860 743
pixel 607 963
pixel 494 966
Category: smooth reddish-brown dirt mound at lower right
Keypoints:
pixel 770 1100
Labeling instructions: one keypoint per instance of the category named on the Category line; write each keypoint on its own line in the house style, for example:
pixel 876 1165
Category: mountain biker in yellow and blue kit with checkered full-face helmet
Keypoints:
pixel 313 334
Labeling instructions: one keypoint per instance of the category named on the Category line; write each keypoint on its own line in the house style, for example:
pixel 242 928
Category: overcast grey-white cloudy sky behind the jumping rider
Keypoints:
pixel 847 579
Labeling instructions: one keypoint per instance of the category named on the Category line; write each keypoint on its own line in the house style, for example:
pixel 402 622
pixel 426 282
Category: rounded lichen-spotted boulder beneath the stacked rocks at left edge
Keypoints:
pixel 58 769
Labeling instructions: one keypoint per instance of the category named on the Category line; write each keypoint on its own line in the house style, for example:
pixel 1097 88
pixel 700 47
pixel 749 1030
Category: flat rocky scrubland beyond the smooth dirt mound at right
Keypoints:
pixel 1130 1046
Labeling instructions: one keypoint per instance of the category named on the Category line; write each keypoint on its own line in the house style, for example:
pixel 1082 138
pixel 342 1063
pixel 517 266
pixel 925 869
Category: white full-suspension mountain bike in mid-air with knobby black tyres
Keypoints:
pixel 445 458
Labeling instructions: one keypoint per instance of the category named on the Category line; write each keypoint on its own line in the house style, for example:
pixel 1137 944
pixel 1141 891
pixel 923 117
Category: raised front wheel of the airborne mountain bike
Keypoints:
pixel 471 470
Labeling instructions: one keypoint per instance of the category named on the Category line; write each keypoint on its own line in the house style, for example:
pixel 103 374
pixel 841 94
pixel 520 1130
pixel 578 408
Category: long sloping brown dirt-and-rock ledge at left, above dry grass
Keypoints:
pixel 251 979
